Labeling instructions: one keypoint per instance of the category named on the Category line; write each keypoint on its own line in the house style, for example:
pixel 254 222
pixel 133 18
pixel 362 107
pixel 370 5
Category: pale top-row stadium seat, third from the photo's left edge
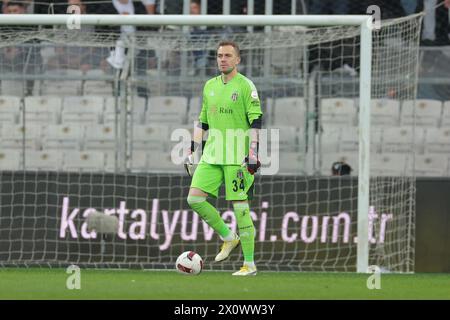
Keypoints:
pixel 82 109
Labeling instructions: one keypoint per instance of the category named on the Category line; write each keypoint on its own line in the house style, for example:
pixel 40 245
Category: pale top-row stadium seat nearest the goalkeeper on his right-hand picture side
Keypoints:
pixel 290 112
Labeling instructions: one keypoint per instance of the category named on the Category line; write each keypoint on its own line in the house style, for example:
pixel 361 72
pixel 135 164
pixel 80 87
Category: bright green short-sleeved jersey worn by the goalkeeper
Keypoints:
pixel 229 110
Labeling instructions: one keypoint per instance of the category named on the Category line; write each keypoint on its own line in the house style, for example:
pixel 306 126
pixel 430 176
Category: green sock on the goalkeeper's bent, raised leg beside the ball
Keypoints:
pixel 208 213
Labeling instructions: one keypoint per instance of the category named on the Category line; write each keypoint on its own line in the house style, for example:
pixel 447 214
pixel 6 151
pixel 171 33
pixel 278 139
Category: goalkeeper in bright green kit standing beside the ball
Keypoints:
pixel 231 111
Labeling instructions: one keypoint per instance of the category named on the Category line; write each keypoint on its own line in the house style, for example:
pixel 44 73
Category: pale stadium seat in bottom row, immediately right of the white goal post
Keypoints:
pixel 390 164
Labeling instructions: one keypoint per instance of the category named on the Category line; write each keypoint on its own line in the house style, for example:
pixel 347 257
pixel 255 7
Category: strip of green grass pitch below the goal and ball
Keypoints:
pixel 167 285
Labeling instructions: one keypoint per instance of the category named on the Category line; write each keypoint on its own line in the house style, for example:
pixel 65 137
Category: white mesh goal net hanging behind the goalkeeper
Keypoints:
pixel 93 120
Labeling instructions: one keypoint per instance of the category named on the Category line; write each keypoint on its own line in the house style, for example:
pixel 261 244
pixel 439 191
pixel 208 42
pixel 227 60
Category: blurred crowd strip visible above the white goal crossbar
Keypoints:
pixel 435 28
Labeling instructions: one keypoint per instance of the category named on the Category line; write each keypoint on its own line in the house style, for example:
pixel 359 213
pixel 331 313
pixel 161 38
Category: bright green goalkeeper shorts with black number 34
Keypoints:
pixel 238 181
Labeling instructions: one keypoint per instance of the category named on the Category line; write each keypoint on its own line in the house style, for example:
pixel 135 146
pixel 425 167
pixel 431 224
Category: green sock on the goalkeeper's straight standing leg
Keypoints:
pixel 246 229
